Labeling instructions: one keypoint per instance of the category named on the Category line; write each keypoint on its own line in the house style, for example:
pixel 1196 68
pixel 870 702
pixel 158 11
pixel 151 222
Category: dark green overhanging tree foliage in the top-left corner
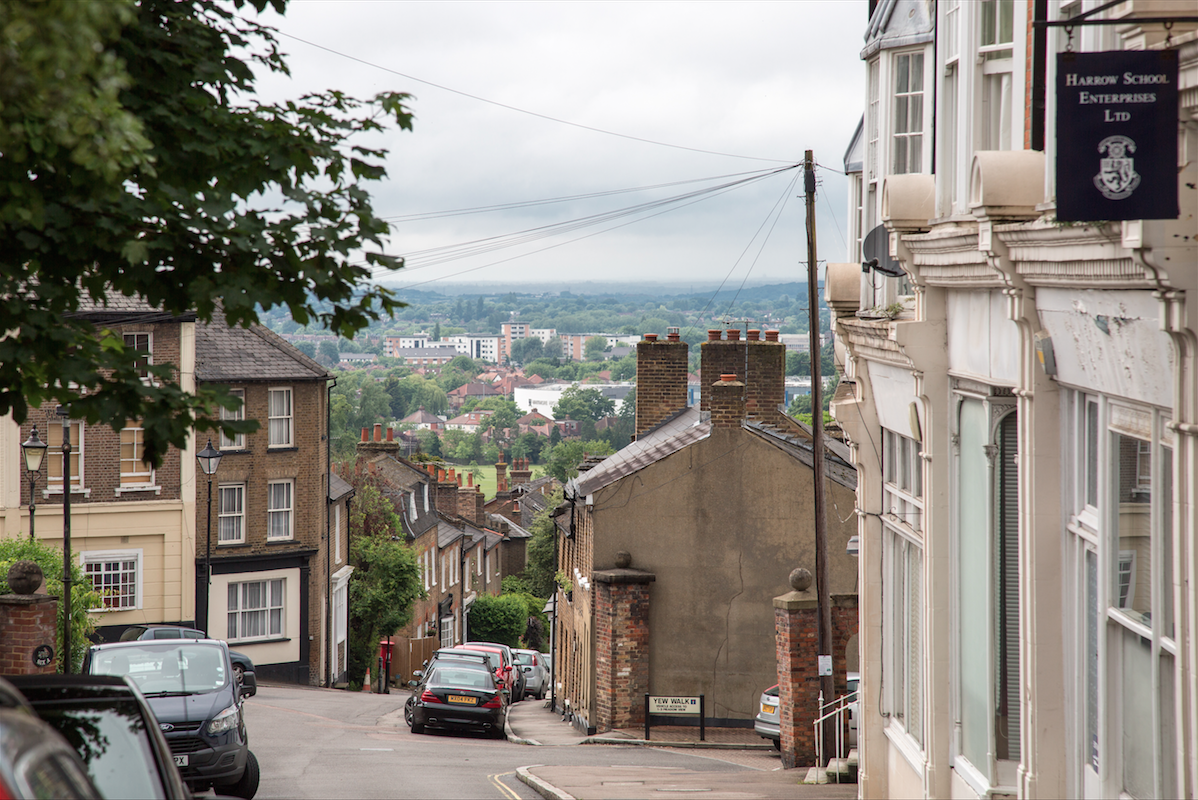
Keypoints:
pixel 137 159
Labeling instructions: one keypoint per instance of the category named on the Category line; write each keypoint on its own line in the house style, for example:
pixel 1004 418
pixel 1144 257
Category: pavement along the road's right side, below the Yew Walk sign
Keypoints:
pixel 533 723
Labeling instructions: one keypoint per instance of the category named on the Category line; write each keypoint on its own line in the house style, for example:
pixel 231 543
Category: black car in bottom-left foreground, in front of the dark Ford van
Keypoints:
pixel 113 730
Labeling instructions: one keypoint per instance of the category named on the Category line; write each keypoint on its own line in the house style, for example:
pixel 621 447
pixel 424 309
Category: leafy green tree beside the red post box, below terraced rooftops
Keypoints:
pixel 386 578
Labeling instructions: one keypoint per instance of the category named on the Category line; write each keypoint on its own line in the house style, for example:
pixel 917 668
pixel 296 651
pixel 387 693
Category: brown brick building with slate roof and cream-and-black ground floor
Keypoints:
pixel 271 508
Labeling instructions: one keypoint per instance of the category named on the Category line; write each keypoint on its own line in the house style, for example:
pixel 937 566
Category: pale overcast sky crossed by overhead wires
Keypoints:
pixel 753 83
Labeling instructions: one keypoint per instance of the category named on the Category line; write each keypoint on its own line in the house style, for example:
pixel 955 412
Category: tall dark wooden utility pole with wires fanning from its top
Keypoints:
pixel 827 682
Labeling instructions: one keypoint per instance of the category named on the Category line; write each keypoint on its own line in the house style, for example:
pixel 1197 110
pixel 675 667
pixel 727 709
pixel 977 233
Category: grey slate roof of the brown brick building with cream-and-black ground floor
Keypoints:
pixel 227 355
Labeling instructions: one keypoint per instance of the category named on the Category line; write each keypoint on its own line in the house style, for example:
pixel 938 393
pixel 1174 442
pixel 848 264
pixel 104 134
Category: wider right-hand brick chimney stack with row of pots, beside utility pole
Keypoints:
pixel 763 365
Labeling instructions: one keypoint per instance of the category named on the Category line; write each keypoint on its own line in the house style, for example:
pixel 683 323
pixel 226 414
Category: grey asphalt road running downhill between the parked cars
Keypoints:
pixel 314 743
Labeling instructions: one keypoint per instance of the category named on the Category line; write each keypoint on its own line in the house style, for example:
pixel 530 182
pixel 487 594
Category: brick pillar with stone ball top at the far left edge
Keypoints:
pixel 28 625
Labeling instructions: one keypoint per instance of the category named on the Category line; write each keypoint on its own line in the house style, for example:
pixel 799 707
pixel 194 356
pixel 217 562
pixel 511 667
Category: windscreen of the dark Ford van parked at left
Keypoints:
pixel 176 668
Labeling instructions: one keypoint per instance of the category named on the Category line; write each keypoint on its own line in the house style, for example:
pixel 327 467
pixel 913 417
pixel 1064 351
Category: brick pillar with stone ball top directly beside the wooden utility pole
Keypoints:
pixel 796 620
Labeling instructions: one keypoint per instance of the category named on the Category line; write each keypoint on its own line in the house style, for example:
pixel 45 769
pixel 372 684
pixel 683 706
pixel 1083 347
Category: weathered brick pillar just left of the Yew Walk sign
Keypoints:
pixel 622 647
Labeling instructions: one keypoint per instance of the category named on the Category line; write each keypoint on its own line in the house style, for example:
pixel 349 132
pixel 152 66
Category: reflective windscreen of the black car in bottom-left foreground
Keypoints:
pixel 112 740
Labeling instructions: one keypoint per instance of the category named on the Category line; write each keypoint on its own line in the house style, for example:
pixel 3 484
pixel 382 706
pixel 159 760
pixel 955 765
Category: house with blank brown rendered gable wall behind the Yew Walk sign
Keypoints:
pixel 675 548
